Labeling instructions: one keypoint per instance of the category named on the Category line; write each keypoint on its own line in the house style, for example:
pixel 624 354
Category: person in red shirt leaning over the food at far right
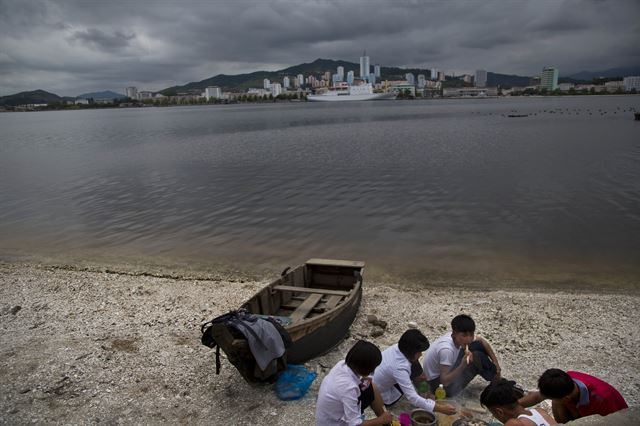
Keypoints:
pixel 574 395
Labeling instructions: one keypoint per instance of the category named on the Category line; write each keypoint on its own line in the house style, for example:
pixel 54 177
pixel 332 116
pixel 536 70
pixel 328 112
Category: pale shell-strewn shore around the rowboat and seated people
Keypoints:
pixel 95 347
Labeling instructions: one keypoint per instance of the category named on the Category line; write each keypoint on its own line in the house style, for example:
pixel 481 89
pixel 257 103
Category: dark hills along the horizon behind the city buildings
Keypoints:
pixel 241 82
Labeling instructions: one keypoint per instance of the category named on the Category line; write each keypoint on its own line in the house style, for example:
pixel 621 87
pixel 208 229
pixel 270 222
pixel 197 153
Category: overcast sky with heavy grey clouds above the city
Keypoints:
pixel 71 47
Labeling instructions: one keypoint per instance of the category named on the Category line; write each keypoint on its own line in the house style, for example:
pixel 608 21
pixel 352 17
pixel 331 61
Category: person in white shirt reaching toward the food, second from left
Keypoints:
pixel 400 365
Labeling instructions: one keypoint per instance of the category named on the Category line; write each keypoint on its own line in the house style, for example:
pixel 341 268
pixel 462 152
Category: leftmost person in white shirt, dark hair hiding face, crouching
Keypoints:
pixel 347 390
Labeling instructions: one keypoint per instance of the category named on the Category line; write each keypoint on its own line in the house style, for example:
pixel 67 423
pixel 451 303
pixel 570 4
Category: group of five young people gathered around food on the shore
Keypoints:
pixel 371 378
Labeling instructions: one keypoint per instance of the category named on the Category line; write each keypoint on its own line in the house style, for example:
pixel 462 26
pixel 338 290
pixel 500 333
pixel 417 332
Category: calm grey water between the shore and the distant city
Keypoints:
pixel 410 187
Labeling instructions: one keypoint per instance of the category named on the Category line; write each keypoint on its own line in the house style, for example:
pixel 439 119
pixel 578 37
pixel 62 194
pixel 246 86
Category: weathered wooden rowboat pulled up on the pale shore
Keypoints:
pixel 316 304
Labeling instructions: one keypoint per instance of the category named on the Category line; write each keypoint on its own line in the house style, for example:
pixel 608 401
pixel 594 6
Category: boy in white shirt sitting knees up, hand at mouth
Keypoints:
pixel 457 357
